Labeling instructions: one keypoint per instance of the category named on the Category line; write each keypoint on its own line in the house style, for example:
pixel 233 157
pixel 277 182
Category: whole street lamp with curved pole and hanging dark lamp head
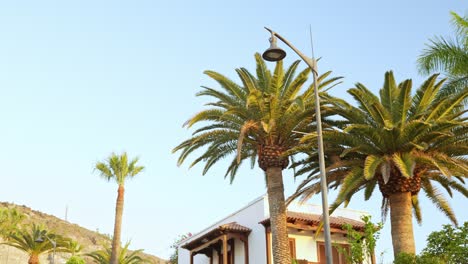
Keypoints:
pixel 275 54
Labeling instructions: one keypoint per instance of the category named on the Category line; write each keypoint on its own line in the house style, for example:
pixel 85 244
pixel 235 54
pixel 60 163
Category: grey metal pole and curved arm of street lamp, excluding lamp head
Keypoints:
pixel 312 63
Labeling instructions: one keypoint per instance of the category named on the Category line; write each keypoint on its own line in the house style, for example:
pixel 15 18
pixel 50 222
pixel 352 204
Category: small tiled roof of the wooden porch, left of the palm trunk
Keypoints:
pixel 232 227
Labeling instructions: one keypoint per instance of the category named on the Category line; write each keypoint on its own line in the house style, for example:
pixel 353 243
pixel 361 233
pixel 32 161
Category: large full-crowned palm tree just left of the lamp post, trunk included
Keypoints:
pixel 256 119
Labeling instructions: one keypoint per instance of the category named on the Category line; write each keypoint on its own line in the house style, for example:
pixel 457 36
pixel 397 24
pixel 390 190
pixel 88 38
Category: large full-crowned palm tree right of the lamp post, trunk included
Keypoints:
pixel 400 142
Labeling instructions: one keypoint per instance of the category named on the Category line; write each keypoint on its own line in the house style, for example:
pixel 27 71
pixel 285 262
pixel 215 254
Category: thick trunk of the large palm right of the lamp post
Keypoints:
pixel 402 223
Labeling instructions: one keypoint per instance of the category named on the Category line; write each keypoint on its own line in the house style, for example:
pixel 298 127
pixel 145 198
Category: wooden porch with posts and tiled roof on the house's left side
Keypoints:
pixel 220 239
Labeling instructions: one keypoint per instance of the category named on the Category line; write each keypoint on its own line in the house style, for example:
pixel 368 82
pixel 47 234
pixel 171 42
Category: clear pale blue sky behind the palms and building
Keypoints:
pixel 82 79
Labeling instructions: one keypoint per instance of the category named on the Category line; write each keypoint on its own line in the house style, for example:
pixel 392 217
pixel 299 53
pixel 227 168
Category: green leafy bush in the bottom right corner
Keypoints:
pixel 450 244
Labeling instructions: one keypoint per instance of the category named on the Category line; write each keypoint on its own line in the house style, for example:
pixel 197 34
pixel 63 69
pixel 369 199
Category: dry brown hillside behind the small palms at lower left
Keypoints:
pixel 90 240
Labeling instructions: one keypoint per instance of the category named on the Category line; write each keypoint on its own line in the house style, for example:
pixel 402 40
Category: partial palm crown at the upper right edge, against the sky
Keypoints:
pixel 449 56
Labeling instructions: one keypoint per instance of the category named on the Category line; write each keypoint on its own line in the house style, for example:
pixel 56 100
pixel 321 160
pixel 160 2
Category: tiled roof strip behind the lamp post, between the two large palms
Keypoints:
pixel 314 220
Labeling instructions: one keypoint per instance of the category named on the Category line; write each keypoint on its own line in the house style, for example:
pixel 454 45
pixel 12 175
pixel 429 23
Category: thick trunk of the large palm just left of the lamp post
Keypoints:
pixel 280 241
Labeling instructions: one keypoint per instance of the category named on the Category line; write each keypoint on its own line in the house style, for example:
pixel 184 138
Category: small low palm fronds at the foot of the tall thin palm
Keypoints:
pixel 125 257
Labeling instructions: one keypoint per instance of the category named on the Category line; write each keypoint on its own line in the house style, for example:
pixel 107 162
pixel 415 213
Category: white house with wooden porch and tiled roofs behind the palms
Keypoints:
pixel 244 237
